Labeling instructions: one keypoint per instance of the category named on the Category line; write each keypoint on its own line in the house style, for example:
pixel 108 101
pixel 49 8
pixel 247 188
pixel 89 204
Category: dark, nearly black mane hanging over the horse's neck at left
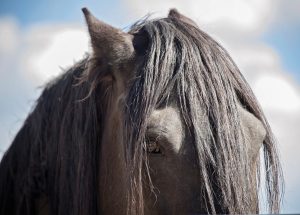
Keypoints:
pixel 56 152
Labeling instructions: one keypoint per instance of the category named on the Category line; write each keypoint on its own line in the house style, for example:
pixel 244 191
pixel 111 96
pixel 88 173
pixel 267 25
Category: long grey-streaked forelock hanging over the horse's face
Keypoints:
pixel 180 59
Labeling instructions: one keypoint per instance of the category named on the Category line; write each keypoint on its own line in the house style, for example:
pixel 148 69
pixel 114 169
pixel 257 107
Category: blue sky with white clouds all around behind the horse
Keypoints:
pixel 38 39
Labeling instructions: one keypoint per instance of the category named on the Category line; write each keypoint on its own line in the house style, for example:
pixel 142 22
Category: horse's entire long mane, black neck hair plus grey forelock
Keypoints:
pixel 56 152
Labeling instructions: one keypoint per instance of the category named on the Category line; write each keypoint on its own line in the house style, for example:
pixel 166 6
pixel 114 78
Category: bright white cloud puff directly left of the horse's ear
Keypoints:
pixel 49 48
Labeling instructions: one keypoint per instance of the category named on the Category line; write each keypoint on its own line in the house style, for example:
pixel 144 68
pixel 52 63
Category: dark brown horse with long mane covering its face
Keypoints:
pixel 156 120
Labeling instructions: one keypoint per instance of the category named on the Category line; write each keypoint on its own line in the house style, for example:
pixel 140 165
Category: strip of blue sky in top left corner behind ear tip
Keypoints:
pixel 35 11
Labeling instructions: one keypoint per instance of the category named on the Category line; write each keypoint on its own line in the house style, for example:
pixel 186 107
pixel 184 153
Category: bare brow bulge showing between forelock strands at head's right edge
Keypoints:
pixel 254 131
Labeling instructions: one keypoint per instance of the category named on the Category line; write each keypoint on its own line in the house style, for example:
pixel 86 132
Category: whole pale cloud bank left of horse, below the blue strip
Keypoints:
pixel 28 59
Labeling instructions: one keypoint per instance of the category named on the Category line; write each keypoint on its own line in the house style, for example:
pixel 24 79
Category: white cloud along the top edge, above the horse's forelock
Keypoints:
pixel 246 15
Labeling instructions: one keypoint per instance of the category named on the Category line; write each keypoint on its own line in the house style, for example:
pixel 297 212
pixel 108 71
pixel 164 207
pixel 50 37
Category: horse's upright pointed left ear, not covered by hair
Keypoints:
pixel 108 42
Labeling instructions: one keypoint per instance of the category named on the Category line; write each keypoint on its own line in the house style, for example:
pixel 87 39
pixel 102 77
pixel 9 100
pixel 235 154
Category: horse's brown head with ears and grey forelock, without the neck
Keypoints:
pixel 182 129
